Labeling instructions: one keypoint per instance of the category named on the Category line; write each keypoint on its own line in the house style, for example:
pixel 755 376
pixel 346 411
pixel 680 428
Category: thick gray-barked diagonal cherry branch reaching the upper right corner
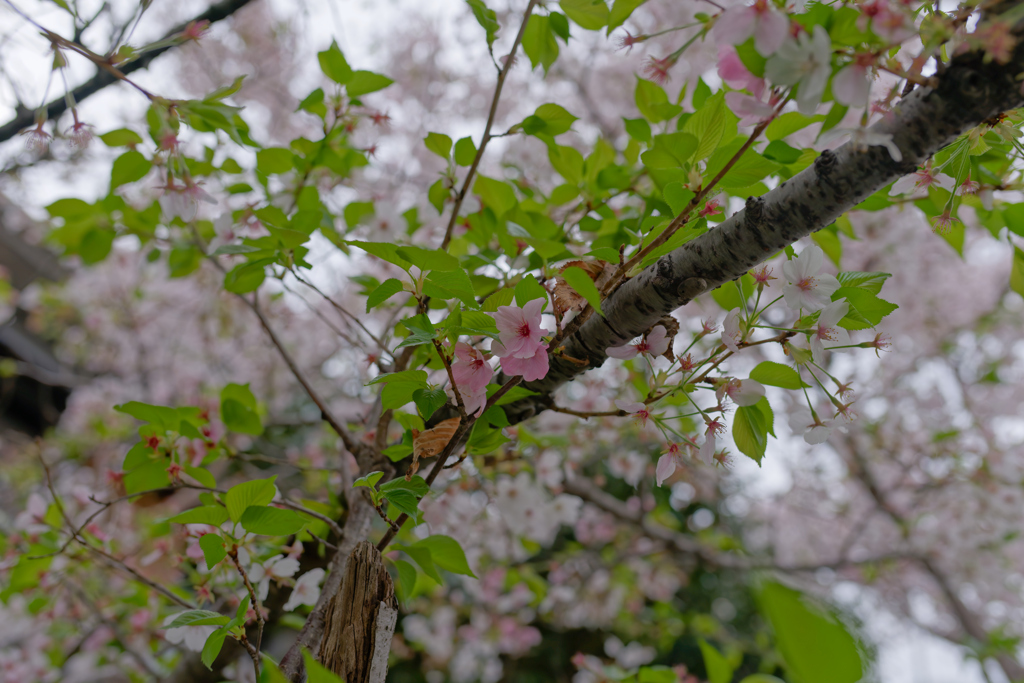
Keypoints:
pixel 968 94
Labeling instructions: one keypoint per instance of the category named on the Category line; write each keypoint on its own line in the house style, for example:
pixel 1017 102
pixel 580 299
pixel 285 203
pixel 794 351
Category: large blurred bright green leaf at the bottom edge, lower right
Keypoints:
pixel 814 643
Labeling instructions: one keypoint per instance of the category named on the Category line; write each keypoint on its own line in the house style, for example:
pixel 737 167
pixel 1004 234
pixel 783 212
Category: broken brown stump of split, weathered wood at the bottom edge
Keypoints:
pixel 361 620
